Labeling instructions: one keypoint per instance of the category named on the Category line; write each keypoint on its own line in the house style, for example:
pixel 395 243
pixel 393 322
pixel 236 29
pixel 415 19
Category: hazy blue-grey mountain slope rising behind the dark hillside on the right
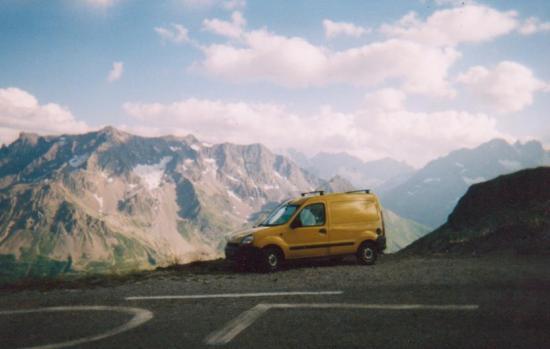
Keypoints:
pixel 432 192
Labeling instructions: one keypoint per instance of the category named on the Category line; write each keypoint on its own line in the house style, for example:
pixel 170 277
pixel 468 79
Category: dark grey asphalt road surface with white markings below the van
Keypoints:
pixel 500 301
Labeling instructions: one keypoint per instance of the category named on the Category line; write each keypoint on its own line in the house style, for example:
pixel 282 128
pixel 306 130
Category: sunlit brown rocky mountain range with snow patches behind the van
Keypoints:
pixel 111 201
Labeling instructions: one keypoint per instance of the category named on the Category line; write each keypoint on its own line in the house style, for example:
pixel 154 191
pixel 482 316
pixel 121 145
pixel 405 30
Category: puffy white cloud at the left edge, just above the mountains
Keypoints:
pixel 21 111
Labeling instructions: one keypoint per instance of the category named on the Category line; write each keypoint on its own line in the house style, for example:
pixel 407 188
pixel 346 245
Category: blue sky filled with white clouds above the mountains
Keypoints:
pixel 407 79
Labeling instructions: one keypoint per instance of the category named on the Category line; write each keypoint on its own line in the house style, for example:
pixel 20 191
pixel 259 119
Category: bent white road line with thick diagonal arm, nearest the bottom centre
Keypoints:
pixel 241 322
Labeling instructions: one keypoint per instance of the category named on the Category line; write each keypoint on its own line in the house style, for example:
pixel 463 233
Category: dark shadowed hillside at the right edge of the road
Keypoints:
pixel 510 212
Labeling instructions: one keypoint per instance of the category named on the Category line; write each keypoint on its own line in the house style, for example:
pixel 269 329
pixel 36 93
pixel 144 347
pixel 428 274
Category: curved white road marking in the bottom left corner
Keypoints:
pixel 141 316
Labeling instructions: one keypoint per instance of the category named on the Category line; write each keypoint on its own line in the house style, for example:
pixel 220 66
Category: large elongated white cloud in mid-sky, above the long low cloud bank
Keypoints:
pixel 295 62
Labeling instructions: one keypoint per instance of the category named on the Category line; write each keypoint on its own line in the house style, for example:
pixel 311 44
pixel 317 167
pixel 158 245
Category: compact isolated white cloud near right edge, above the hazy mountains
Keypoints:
pixel 508 87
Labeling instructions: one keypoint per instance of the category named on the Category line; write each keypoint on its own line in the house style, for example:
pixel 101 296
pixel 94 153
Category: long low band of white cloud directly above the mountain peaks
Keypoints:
pixel 372 132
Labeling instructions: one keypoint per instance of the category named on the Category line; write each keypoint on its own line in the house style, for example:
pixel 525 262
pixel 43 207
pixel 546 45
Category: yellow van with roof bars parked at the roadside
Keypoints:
pixel 312 226
